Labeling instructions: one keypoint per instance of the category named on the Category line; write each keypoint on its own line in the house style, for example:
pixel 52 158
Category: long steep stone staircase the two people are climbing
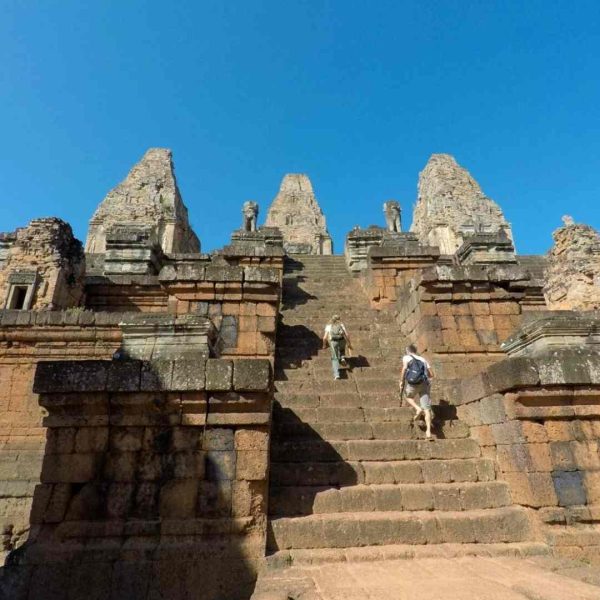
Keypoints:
pixel 350 471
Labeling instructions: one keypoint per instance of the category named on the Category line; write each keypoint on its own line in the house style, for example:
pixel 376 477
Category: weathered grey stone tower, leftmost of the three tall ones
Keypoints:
pixel 149 198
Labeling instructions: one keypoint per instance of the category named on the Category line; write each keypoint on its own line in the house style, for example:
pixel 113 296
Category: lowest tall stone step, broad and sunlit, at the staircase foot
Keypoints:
pixel 345 530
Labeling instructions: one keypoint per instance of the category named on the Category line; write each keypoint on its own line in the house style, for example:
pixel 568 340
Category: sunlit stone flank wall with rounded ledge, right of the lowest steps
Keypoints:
pixel 538 417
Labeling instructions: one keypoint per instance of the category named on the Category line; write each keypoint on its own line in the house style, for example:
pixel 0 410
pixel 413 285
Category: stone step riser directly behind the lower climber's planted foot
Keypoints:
pixel 329 431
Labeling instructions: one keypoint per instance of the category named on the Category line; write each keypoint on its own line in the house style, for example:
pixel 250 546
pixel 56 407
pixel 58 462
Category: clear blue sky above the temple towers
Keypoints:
pixel 357 94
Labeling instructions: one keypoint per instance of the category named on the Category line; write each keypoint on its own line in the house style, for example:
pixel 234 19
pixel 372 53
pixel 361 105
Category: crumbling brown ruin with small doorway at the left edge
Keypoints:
pixel 47 262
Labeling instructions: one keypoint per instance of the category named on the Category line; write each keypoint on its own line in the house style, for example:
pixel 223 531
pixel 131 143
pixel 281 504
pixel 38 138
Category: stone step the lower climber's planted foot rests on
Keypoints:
pixel 373 450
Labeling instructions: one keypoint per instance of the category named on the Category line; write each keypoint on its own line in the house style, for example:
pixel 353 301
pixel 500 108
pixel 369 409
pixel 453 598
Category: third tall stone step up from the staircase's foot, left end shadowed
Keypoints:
pixel 373 472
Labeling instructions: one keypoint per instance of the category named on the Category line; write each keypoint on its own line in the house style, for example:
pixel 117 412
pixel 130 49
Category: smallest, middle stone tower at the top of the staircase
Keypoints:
pixel 296 212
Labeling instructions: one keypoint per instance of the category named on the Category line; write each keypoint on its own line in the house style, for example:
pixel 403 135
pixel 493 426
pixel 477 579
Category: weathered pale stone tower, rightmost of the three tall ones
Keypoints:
pixel 451 206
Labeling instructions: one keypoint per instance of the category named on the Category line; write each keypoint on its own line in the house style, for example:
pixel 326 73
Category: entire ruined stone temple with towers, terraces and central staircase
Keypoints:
pixel 170 427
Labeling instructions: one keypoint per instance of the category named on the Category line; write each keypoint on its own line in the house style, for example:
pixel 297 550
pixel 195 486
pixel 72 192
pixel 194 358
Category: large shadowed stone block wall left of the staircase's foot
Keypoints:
pixel 154 481
